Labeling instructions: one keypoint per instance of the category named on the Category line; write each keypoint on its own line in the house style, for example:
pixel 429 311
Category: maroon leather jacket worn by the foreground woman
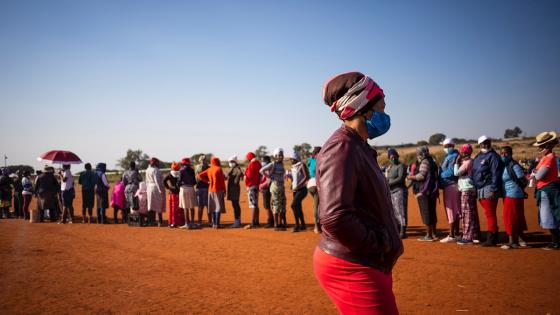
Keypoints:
pixel 355 209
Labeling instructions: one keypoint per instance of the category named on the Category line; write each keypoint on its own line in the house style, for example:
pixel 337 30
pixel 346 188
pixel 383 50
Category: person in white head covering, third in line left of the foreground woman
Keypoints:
pixel 276 172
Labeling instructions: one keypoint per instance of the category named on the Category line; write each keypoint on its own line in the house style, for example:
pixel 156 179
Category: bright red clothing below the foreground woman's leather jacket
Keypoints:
pixel 353 288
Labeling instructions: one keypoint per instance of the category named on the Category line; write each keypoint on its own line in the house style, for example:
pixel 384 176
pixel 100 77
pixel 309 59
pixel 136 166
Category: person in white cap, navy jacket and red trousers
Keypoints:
pixel 487 177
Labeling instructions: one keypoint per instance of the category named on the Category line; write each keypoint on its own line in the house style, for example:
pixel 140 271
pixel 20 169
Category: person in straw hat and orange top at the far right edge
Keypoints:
pixel 548 187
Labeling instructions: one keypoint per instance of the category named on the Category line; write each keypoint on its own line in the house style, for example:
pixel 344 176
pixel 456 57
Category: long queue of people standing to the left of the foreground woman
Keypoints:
pixel 142 202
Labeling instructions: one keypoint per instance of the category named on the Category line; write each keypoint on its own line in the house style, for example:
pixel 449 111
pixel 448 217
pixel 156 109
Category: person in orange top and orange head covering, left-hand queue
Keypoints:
pixel 215 178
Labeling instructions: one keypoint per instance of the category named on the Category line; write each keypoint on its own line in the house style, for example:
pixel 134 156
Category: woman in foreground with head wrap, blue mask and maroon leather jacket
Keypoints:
pixel 360 242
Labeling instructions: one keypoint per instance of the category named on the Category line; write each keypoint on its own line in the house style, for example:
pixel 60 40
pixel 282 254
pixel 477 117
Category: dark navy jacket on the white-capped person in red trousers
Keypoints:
pixel 487 171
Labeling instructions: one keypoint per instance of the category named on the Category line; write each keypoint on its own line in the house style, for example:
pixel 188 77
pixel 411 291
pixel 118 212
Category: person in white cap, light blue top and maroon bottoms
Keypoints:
pixel 451 194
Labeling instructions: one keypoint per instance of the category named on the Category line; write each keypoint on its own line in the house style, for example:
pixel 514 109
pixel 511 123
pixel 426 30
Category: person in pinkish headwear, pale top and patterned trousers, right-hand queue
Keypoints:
pixel 469 212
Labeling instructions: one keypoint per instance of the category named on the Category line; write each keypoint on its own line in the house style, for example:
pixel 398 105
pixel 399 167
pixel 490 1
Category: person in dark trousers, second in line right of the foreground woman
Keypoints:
pixel 425 187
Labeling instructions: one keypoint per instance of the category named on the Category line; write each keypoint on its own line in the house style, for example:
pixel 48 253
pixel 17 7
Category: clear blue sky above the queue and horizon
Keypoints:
pixel 174 78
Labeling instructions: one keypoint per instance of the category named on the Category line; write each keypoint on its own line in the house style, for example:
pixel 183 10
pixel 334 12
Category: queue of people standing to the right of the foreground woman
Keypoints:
pixel 486 178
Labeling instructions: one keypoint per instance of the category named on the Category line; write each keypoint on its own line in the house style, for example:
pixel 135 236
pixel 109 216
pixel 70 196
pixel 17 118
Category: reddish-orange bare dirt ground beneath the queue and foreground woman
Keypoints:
pixel 49 268
